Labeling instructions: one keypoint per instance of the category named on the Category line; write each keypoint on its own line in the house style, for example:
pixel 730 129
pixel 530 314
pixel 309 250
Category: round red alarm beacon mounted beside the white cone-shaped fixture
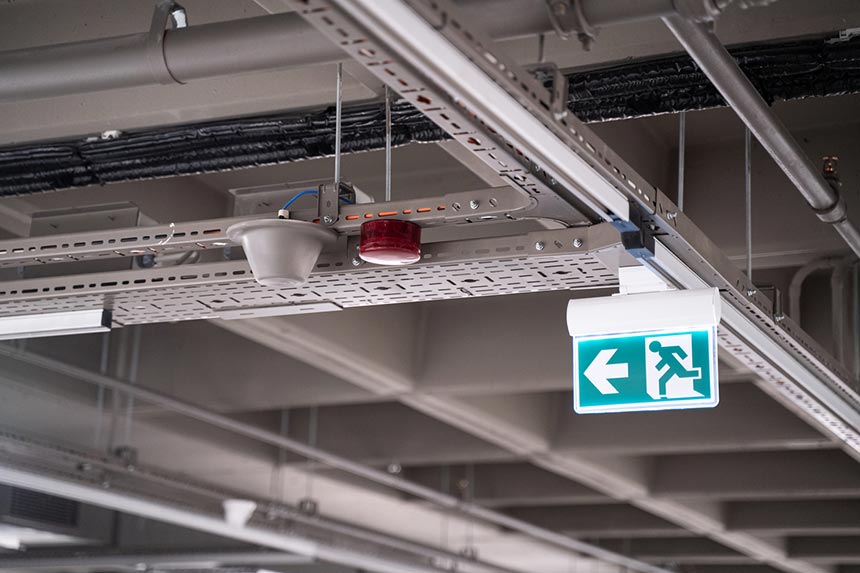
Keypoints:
pixel 390 242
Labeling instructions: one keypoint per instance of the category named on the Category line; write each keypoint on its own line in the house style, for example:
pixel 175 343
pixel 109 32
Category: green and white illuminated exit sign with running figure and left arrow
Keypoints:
pixel 639 352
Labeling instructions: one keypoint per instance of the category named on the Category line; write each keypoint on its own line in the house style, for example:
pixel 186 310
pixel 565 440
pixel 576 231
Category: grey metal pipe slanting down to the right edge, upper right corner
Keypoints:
pixel 716 62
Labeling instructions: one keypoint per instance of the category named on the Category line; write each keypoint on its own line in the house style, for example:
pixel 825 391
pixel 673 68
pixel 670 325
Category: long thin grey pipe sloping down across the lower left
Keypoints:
pixel 333 460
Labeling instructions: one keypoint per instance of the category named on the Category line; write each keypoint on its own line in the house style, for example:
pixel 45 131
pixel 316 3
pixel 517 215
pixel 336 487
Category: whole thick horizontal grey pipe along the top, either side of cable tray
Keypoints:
pixel 260 44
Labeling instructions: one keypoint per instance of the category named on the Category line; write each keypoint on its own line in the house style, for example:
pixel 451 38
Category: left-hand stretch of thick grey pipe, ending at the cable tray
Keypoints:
pixel 239 46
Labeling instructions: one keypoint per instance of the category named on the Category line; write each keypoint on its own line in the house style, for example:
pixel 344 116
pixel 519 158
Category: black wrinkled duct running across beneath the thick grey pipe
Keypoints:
pixel 780 71
